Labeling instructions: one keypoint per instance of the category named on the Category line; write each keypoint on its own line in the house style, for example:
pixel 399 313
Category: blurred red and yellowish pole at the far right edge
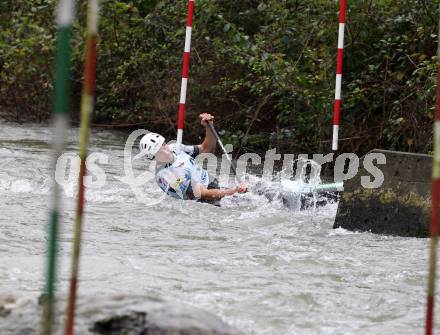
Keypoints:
pixel 435 214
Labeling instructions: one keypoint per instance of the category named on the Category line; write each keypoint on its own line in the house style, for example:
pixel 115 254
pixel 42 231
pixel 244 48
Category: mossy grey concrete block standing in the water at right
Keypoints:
pixel 401 206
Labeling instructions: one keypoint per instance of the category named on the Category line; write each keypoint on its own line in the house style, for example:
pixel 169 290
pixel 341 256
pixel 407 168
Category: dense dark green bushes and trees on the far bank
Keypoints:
pixel 266 69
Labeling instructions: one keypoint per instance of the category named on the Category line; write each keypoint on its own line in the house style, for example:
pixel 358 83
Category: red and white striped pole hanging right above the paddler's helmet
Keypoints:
pixel 185 70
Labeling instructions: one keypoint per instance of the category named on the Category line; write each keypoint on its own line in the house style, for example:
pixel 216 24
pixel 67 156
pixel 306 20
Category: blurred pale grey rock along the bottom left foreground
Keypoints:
pixel 128 315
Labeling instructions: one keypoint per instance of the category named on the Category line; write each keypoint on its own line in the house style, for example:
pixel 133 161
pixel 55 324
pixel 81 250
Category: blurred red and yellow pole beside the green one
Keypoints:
pixel 87 102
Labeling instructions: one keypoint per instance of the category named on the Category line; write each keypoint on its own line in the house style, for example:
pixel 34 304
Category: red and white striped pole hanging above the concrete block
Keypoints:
pixel 337 106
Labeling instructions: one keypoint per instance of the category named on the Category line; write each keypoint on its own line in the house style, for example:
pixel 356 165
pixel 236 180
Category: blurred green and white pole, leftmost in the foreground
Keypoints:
pixel 61 107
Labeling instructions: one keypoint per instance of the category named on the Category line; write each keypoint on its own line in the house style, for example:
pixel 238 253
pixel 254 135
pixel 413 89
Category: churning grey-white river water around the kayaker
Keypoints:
pixel 261 268
